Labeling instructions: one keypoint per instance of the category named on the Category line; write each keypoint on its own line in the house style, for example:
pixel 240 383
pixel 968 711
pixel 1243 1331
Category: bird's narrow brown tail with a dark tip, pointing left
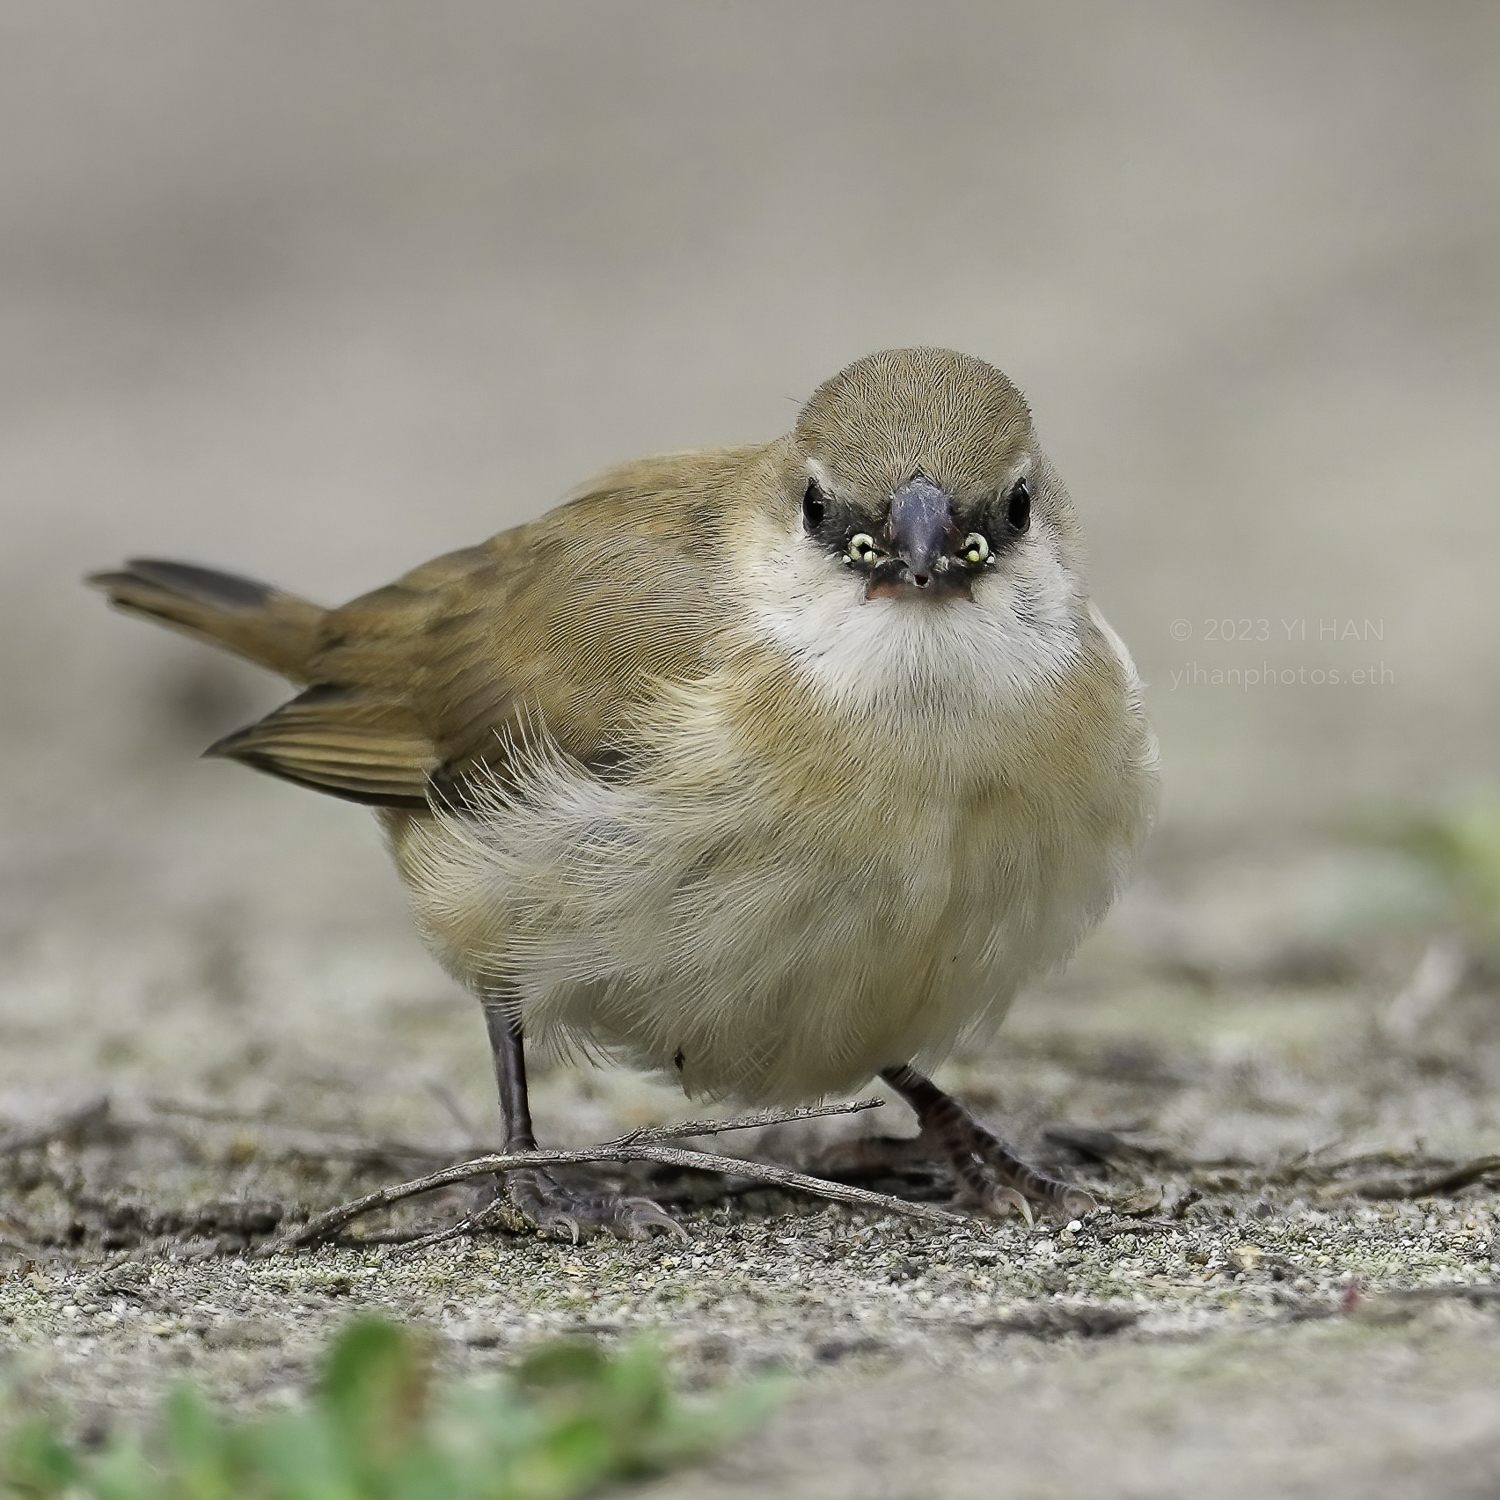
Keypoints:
pixel 254 620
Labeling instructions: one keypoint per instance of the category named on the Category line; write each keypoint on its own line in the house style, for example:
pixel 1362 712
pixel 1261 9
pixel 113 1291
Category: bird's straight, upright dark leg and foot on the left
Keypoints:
pixel 542 1199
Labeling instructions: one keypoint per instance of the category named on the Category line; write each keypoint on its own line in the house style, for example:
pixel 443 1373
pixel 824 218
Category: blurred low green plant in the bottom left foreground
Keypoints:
pixel 569 1420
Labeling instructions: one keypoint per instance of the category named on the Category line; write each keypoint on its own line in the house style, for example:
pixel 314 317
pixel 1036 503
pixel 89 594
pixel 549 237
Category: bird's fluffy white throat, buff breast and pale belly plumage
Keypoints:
pixel 766 926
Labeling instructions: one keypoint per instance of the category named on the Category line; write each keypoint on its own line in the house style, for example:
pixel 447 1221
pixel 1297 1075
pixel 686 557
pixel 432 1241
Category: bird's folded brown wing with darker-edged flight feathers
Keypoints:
pixel 563 626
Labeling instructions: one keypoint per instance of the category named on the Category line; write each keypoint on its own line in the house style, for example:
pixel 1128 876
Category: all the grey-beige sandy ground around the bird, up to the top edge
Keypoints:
pixel 319 293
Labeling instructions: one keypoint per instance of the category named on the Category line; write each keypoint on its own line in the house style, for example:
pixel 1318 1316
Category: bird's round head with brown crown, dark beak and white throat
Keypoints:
pixel 910 541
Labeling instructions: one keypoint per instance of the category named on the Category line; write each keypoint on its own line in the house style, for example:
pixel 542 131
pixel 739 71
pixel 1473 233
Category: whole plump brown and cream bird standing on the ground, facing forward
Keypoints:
pixel 767 769
